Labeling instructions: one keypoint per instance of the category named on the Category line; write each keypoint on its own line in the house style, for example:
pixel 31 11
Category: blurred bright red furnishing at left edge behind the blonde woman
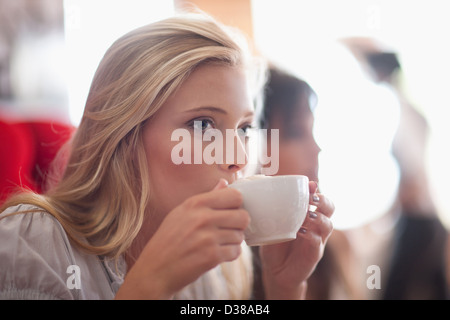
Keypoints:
pixel 26 151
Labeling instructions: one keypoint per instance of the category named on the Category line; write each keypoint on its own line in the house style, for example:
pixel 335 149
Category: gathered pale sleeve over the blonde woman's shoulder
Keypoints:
pixel 34 253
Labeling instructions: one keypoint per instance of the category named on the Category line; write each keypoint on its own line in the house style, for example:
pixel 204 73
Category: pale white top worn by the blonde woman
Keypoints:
pixel 37 261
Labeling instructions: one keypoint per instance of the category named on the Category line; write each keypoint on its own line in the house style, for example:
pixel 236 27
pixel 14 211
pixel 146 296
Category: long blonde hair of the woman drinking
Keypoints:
pixel 103 193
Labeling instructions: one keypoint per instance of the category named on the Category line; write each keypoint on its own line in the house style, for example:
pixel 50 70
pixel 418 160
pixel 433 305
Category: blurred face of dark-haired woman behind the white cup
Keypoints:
pixel 299 152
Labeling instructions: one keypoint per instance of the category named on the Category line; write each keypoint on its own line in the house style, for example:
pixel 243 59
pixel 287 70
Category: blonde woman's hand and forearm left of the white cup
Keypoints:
pixel 204 231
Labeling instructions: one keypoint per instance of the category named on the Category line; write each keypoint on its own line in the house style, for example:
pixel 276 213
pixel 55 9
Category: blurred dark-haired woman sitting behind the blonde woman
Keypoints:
pixel 288 106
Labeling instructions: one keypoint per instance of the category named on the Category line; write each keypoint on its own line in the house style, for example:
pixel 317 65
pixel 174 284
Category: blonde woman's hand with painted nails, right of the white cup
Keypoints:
pixel 287 266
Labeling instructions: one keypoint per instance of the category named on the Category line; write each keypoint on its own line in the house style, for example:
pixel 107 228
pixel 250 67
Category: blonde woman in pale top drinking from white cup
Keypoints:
pixel 123 220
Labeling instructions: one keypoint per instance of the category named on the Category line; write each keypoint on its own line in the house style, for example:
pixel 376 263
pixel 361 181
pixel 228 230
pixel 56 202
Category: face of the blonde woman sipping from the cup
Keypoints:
pixel 212 97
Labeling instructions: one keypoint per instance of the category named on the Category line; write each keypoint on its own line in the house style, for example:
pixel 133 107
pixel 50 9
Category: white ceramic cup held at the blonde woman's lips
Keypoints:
pixel 277 206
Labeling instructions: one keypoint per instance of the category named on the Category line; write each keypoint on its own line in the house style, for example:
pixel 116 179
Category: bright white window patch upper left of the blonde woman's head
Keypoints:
pixel 90 28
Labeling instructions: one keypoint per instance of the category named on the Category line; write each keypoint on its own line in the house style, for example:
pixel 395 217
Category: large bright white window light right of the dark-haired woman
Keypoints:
pixel 356 119
